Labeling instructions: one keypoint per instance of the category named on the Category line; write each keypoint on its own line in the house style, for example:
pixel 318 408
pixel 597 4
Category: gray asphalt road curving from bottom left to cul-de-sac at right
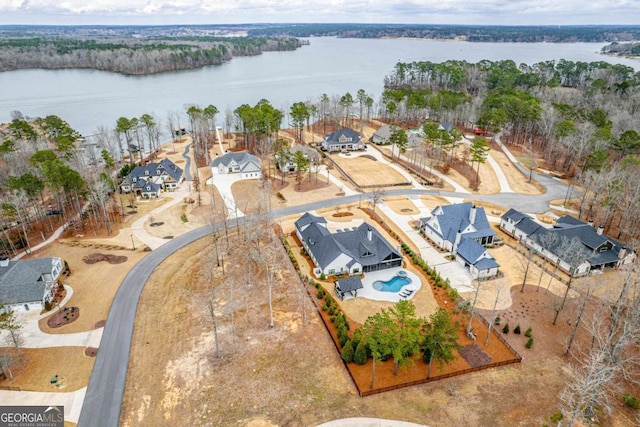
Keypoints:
pixel 103 399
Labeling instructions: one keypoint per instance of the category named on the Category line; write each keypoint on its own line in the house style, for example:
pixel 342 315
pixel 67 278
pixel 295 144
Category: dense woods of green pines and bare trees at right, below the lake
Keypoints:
pixel 575 118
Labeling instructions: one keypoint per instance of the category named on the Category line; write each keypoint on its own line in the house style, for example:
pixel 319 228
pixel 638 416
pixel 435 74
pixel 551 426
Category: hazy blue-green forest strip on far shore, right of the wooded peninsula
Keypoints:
pixel 472 33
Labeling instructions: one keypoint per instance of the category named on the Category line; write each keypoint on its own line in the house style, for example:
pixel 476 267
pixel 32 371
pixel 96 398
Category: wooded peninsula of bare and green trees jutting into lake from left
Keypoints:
pixel 133 56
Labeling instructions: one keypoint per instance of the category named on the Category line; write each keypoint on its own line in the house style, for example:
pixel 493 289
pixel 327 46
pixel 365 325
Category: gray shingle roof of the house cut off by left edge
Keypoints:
pixel 22 282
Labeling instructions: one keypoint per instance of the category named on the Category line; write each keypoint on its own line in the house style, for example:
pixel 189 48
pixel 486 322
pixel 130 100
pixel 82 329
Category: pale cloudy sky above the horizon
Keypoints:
pixel 478 12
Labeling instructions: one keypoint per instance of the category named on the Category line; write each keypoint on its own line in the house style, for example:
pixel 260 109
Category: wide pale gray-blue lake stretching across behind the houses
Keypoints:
pixel 88 99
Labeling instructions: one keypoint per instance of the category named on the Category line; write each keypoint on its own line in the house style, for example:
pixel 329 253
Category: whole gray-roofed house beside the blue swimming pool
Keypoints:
pixel 349 251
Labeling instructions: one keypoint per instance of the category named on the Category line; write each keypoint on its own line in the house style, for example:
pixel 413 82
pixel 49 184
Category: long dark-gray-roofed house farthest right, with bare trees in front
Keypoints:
pixel 553 243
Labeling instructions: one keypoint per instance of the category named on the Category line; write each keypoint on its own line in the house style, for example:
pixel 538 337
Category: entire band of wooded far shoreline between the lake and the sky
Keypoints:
pixel 140 50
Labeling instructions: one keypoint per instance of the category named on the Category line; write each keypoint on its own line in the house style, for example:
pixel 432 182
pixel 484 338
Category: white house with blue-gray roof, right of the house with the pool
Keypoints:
pixel 463 229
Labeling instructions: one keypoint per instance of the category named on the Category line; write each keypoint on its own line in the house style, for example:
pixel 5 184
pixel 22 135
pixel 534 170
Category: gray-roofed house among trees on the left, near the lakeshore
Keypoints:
pixel 164 174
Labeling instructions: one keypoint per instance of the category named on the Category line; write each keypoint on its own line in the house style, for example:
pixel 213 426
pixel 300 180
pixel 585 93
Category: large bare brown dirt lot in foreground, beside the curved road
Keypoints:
pixel 173 374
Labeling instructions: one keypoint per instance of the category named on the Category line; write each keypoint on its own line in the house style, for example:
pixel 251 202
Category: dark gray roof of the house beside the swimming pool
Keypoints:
pixel 355 243
